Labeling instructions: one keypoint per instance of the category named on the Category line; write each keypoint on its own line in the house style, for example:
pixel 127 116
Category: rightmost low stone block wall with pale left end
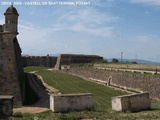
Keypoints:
pixel 134 102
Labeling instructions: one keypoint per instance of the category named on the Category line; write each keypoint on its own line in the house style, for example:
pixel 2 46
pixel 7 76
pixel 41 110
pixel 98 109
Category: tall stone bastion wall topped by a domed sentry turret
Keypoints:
pixel 11 69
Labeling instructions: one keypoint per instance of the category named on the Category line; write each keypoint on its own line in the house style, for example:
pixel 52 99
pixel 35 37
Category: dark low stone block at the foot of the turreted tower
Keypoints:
pixel 6 105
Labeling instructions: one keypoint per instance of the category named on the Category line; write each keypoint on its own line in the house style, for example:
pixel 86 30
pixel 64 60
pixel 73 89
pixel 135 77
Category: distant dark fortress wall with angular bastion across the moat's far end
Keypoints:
pixel 57 62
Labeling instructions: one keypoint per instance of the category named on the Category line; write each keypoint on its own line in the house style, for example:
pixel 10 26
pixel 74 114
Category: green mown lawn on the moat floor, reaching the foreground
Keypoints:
pixel 67 83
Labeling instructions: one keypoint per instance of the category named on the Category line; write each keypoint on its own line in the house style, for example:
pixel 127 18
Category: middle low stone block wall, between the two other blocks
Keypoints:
pixel 69 102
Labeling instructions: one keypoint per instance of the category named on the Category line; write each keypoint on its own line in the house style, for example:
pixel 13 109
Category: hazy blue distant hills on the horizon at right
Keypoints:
pixel 139 61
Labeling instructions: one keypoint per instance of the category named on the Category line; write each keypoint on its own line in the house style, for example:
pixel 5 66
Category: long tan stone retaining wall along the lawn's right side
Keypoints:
pixel 140 82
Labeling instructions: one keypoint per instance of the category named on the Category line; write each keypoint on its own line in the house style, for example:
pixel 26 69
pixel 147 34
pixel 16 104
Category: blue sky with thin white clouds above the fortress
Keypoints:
pixel 103 27
